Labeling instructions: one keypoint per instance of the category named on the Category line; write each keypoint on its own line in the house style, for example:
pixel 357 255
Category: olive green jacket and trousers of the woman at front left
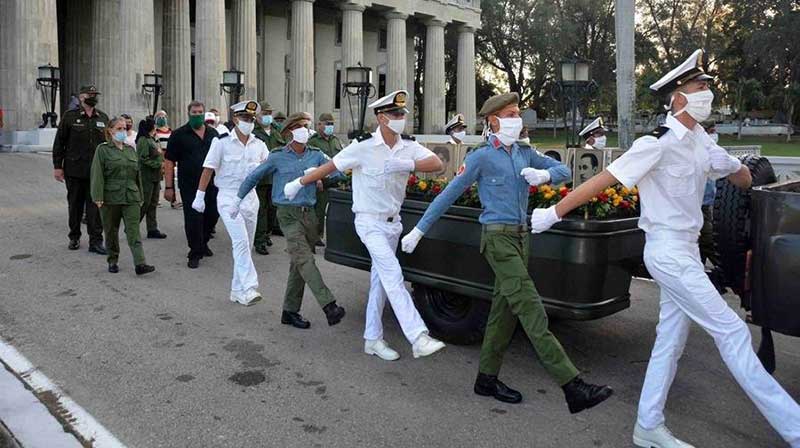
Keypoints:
pixel 116 182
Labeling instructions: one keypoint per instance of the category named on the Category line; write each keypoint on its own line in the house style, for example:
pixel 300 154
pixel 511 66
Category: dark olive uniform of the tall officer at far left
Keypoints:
pixel 73 150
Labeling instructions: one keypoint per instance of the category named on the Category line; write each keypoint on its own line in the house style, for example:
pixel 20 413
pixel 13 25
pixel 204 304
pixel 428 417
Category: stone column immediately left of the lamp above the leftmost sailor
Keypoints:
pixel 209 53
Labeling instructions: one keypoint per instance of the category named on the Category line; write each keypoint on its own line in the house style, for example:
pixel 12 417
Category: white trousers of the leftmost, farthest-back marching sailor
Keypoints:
pixel 242 231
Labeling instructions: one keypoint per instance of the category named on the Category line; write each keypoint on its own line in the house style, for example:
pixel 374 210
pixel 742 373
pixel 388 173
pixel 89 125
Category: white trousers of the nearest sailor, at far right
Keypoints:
pixel 688 295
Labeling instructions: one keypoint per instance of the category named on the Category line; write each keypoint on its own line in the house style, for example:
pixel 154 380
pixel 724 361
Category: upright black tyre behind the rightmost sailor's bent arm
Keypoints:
pixel 732 224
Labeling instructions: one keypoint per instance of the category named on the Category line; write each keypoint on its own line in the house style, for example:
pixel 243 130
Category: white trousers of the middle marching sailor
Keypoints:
pixel 386 279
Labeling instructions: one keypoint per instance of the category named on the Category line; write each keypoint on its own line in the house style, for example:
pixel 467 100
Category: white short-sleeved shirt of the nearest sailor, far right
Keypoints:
pixel 671 173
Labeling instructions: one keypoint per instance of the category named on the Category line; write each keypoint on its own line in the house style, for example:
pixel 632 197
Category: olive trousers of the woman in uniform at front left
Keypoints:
pixel 111 215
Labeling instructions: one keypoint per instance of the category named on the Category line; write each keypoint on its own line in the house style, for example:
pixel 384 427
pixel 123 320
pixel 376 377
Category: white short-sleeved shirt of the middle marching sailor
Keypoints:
pixel 373 190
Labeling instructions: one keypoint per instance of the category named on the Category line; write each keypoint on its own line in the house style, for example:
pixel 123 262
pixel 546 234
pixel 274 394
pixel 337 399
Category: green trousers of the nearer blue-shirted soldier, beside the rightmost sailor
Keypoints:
pixel 506 248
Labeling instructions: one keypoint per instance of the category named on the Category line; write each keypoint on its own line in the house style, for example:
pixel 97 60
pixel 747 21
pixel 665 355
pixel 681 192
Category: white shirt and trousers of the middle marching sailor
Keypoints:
pixel 377 198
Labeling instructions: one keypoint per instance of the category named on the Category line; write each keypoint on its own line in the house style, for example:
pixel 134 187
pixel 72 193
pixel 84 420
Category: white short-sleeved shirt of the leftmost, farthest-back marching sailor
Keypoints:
pixel 232 161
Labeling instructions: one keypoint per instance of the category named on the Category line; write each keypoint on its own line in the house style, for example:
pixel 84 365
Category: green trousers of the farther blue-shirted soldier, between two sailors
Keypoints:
pixel 299 225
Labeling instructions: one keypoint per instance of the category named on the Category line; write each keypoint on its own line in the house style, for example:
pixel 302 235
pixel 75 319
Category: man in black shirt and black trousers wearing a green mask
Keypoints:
pixel 187 147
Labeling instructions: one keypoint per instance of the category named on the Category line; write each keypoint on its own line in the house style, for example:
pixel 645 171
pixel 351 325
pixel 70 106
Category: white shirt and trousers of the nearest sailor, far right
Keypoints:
pixel 671 172
